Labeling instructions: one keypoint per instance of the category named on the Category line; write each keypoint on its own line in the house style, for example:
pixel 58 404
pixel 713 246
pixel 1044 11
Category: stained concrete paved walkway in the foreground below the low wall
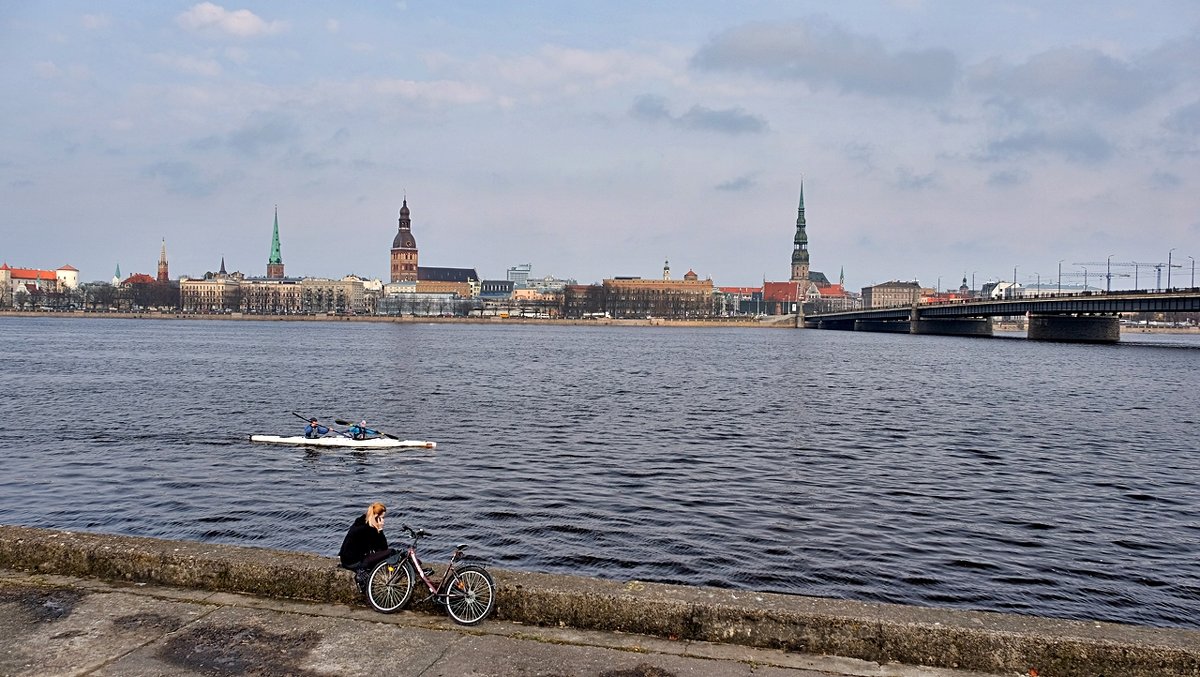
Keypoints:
pixel 63 626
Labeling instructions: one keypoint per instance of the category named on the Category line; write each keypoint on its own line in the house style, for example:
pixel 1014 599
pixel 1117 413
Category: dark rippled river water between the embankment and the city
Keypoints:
pixel 991 475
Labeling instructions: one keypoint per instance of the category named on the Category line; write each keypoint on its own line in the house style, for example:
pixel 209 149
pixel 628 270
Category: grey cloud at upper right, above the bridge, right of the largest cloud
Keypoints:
pixel 1071 77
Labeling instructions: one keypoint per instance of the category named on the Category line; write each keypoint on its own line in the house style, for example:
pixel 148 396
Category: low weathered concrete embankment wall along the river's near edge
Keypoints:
pixel 988 643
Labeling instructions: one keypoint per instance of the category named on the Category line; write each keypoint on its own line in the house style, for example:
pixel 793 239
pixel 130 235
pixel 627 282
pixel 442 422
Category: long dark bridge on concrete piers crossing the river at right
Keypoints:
pixel 1084 317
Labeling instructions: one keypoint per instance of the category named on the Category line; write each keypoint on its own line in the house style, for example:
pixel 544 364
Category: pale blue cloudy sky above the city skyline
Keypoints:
pixel 934 139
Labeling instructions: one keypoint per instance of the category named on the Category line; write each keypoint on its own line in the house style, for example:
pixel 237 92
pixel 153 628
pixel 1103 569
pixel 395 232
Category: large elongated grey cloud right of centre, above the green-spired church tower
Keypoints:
pixel 823 55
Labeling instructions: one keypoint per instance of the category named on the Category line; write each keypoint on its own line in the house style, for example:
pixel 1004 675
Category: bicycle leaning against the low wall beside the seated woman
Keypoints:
pixel 467 591
